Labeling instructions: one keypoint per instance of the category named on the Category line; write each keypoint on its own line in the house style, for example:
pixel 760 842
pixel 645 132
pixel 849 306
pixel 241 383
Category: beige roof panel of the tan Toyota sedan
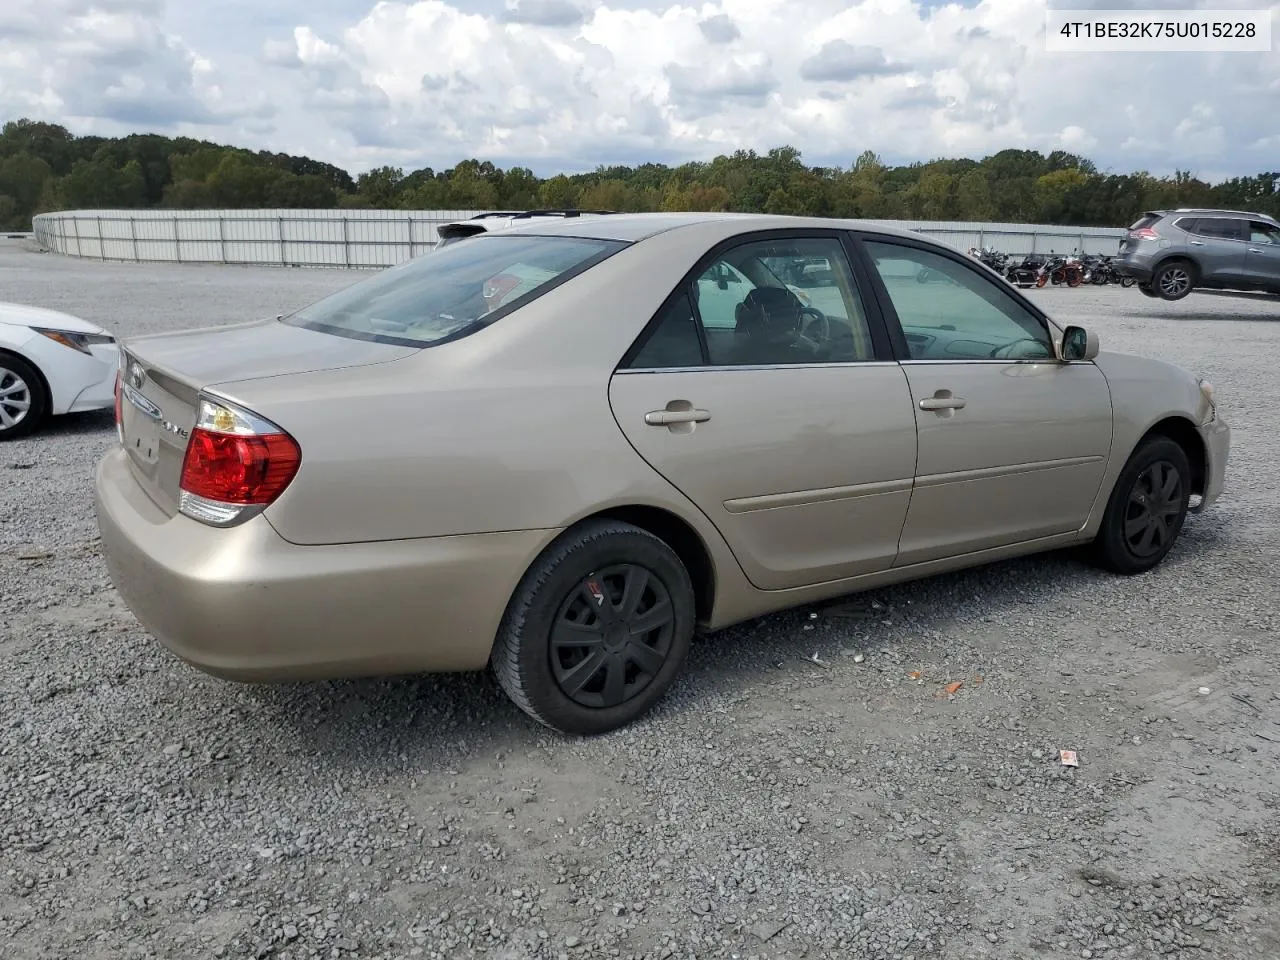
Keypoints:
pixel 637 227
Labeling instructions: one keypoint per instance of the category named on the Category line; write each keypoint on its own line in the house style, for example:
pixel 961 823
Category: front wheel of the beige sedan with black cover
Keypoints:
pixel 1155 486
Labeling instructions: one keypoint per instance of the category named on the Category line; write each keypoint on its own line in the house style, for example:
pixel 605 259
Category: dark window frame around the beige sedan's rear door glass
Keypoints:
pixel 883 348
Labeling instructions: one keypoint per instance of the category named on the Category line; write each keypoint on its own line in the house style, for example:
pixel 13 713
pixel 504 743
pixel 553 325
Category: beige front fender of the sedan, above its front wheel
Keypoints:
pixel 1144 394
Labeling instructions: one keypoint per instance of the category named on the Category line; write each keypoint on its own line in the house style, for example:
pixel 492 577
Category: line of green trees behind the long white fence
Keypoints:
pixel 45 168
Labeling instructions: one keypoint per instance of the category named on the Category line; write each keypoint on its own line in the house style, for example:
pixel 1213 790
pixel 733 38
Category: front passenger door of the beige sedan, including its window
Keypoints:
pixel 1013 444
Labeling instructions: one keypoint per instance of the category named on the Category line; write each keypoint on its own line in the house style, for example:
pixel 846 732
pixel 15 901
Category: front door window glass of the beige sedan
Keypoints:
pixel 950 312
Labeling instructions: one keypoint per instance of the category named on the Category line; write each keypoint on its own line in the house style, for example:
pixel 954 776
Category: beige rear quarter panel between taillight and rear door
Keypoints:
pixel 508 429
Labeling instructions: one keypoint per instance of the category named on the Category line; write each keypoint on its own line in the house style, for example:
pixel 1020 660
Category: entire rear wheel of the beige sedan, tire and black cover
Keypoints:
pixel 568 588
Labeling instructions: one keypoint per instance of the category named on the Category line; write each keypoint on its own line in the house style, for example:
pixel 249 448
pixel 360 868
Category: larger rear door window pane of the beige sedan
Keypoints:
pixel 783 301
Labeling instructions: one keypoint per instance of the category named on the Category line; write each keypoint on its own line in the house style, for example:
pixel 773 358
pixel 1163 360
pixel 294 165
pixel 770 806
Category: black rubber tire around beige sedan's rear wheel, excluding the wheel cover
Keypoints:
pixel 538 602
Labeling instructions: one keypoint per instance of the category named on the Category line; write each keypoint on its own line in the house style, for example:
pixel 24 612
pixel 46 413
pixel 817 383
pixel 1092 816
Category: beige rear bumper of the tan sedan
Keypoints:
pixel 244 604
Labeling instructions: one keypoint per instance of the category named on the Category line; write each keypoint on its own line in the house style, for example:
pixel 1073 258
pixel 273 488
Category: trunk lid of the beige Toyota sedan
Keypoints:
pixel 162 378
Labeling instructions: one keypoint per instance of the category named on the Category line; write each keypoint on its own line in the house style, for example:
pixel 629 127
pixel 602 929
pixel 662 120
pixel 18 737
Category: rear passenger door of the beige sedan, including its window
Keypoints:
pixel 787 424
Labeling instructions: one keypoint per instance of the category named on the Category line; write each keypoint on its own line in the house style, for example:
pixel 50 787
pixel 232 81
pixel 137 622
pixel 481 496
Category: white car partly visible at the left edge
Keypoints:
pixel 52 364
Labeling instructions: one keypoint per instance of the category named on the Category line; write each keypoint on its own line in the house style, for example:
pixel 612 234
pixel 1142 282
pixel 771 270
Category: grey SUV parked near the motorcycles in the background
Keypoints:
pixel 1172 253
